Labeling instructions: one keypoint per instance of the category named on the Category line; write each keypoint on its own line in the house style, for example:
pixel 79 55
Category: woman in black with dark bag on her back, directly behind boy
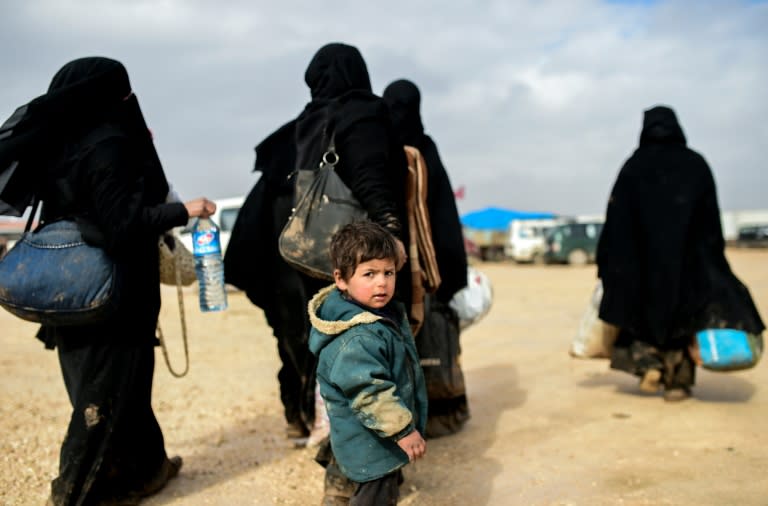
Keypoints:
pixel 372 165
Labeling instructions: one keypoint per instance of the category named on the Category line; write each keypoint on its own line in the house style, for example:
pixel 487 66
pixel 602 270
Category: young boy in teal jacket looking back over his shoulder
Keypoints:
pixel 368 368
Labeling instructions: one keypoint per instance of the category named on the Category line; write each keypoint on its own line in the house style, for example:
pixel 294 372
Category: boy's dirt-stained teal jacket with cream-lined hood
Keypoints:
pixel 371 381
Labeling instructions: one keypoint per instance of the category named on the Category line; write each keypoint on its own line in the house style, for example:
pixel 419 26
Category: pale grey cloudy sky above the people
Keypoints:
pixel 534 104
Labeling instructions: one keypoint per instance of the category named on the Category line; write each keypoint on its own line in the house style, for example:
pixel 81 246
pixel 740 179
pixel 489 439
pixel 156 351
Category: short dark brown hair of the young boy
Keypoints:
pixel 359 242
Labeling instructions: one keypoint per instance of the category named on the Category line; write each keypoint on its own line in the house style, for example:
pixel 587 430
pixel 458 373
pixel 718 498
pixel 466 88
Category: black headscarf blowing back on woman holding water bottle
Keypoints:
pixel 83 94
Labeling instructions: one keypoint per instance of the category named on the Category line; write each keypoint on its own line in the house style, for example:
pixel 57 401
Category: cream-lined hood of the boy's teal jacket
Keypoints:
pixel 330 315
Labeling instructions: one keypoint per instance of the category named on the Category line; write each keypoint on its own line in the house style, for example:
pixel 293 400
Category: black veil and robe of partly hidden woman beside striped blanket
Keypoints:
pixel 404 101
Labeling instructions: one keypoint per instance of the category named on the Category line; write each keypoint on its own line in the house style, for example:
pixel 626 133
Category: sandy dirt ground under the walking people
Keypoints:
pixel 546 429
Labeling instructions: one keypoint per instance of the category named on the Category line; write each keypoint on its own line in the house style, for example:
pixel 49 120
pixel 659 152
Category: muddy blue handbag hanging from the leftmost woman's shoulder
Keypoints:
pixel 51 276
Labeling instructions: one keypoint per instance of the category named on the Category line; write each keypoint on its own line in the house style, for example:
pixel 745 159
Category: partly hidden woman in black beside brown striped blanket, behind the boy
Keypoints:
pixel 438 339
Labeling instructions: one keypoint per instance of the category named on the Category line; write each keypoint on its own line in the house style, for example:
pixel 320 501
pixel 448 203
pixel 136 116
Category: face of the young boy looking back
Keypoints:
pixel 372 284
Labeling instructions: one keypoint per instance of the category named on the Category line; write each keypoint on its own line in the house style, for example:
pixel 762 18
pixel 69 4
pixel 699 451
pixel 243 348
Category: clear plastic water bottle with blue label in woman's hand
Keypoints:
pixel 209 266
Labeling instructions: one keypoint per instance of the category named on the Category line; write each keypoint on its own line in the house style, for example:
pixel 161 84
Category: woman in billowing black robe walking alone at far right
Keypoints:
pixel 661 259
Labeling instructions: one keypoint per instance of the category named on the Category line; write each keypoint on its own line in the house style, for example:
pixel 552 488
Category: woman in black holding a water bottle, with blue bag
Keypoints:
pixel 95 162
